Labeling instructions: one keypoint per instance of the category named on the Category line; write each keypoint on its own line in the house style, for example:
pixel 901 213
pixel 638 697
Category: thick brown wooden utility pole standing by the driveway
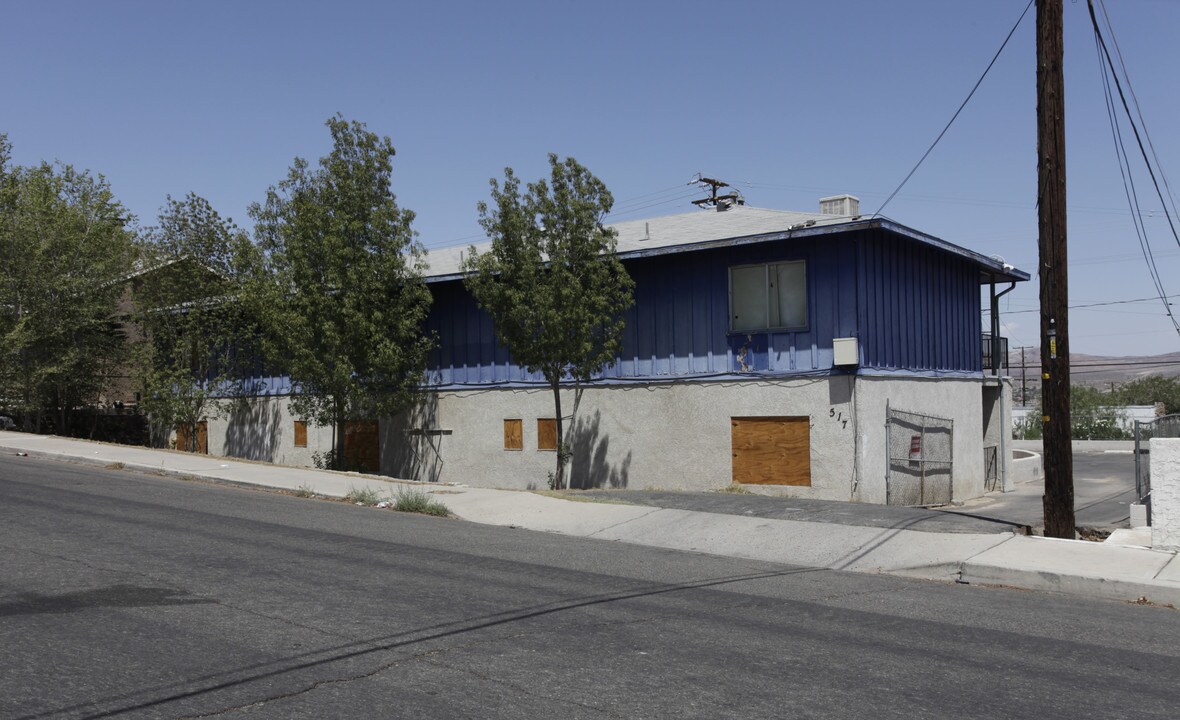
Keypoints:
pixel 1051 120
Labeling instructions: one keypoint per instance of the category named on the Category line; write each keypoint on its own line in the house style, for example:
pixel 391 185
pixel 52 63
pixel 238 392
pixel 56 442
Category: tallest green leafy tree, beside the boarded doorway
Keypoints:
pixel 343 297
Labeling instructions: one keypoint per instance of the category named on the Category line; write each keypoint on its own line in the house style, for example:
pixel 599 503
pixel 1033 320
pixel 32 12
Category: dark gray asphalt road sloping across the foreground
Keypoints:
pixel 128 595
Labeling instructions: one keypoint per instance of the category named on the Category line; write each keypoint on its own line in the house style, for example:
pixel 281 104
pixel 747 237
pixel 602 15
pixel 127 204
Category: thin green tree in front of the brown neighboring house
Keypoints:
pixel 195 326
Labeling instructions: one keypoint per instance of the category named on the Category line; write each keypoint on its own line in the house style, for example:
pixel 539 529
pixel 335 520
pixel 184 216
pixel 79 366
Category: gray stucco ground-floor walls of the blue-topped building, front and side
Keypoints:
pixel 674 436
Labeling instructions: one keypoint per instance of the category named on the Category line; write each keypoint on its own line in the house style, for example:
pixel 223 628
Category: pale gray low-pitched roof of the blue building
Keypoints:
pixel 739 225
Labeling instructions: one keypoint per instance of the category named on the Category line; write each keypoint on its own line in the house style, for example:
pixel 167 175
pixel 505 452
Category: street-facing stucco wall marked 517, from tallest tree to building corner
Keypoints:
pixel 653 436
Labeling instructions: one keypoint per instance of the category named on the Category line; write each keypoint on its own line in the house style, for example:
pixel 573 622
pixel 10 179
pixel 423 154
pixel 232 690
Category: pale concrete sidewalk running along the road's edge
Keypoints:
pixel 901 544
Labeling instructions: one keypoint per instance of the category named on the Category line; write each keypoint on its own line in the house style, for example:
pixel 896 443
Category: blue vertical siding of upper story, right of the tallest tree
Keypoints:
pixel 912 306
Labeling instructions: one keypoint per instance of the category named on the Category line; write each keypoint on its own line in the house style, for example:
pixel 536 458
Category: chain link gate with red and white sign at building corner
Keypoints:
pixel 921 459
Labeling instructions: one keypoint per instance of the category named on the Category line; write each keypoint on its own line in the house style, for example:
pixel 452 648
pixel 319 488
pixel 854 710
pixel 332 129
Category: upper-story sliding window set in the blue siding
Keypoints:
pixel 769 297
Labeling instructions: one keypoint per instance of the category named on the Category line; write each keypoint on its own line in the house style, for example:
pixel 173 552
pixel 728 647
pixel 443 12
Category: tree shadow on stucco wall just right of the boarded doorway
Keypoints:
pixel 414 442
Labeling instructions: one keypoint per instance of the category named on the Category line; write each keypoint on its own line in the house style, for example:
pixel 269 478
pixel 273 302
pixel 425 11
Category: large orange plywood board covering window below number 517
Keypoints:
pixel 772 451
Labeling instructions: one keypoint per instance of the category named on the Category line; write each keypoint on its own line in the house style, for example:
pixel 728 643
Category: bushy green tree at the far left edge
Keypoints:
pixel 64 246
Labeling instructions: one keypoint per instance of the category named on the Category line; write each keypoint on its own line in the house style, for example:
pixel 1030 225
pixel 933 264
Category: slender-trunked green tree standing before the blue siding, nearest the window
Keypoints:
pixel 550 282
